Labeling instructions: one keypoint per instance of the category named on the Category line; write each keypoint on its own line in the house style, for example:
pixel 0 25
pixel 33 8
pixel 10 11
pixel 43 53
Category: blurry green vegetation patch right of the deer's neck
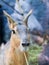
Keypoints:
pixel 34 52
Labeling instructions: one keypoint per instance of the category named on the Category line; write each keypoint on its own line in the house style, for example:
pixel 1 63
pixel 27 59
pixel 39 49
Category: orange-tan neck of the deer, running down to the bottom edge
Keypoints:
pixel 16 54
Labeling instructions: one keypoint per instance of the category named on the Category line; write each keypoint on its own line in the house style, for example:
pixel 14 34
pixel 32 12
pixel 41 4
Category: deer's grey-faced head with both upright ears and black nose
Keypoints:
pixel 20 30
